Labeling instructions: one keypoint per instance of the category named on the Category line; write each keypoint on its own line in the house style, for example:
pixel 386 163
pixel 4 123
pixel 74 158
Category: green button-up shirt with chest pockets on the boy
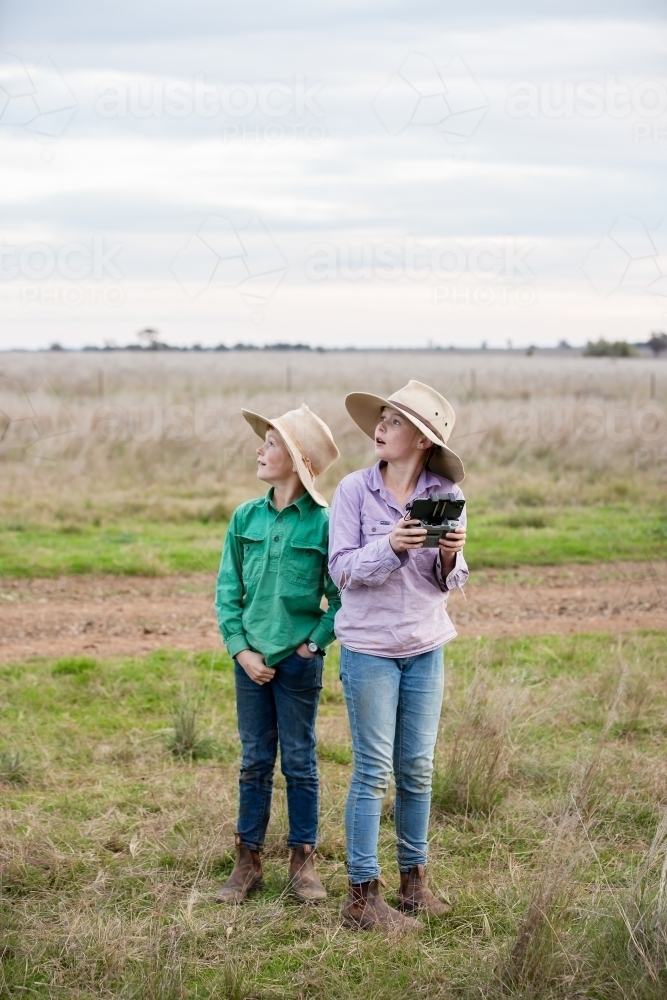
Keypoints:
pixel 272 578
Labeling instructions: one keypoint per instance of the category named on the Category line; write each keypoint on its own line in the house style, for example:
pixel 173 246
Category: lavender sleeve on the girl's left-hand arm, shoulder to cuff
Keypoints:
pixel 351 563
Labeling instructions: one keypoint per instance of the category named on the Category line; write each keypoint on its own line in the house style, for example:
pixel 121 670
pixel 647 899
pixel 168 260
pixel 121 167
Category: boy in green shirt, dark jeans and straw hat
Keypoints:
pixel 272 578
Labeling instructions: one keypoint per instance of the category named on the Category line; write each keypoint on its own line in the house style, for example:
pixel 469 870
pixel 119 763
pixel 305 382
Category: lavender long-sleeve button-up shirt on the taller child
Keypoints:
pixel 392 604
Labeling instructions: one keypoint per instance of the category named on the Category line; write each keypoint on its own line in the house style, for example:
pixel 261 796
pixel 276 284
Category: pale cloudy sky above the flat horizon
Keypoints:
pixel 340 173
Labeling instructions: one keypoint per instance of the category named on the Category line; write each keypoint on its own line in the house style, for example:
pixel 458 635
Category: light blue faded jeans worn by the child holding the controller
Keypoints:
pixel 394 710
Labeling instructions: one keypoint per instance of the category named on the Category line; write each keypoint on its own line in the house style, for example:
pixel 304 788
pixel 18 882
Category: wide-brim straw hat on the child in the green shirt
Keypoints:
pixel 308 440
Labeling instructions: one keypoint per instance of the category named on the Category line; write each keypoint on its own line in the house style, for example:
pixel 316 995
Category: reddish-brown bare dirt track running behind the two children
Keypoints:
pixel 106 616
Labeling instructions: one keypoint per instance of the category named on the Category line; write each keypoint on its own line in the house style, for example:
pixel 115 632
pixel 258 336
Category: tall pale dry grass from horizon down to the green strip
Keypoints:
pixel 546 429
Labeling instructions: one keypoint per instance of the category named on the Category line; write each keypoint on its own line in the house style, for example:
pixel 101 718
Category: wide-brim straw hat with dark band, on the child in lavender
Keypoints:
pixel 426 409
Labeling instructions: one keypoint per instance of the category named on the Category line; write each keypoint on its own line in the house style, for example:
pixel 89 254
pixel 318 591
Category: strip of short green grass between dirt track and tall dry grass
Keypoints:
pixel 525 536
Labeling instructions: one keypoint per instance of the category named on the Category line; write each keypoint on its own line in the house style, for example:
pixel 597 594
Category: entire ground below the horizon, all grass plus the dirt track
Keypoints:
pixel 549 827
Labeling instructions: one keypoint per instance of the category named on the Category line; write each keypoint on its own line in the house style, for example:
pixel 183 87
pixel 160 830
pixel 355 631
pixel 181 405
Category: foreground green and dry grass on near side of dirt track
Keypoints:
pixel 548 835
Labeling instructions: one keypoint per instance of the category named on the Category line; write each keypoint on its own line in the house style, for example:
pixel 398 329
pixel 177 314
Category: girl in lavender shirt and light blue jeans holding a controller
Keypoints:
pixel 392 627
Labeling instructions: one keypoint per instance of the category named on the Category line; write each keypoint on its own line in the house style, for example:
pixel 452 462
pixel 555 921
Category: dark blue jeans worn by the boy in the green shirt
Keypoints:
pixel 282 711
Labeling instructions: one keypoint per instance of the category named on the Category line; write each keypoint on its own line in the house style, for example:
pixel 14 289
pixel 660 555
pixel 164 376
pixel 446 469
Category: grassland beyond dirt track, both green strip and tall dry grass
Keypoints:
pixel 566 456
